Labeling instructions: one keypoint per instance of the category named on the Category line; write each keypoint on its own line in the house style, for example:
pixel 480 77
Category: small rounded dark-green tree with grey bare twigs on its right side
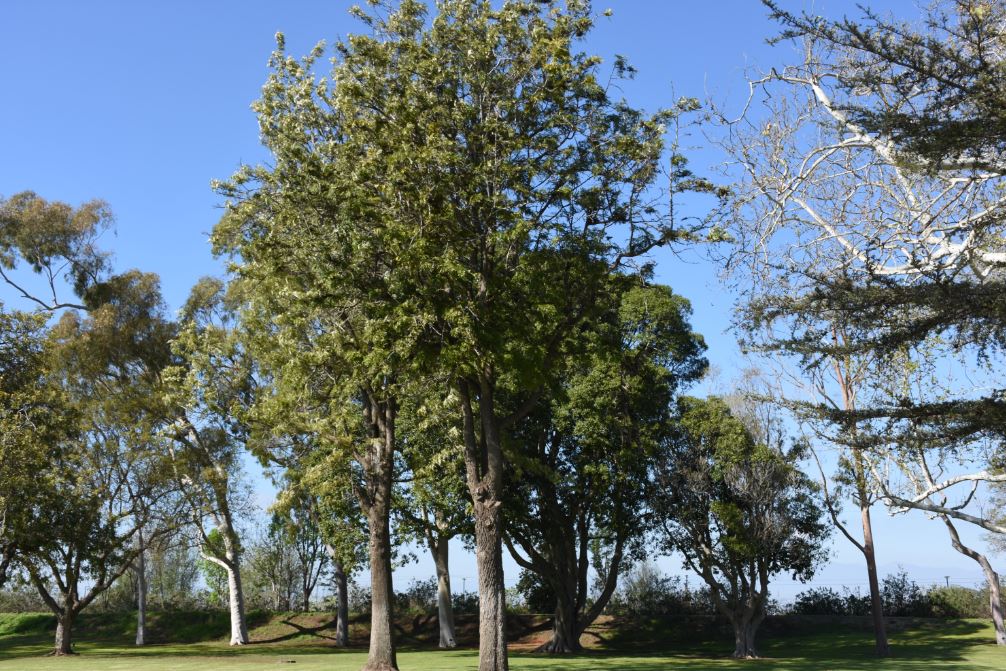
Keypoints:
pixel 738 509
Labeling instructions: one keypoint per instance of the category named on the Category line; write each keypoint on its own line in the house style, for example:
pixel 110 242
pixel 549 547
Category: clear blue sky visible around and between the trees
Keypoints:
pixel 142 104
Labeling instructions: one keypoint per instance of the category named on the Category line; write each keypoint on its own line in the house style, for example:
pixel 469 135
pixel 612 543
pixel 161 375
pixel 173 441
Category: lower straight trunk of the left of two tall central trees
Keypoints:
pixel 382 656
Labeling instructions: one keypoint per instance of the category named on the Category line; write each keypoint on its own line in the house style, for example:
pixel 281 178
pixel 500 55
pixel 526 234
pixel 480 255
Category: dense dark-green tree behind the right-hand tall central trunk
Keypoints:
pixel 581 479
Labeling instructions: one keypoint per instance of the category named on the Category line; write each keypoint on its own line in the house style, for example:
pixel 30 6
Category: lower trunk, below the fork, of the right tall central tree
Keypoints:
pixel 492 592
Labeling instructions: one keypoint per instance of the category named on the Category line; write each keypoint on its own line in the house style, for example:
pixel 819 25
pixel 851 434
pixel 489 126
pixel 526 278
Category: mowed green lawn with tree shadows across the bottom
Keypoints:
pixel 798 645
